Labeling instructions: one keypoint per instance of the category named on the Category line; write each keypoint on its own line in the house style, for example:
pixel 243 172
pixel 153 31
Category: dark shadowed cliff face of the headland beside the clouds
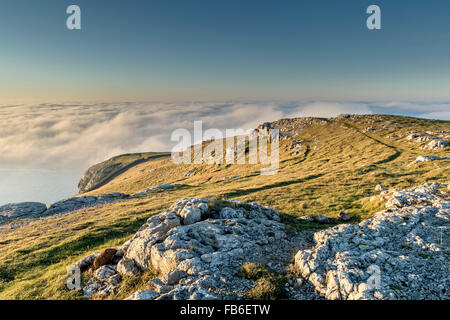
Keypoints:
pixel 103 172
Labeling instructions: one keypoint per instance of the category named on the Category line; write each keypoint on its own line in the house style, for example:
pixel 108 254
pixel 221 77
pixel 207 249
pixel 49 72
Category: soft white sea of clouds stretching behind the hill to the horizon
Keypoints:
pixel 44 149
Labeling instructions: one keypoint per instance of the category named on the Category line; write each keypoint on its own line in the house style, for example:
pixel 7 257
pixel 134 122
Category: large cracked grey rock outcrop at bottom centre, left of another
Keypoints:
pixel 198 247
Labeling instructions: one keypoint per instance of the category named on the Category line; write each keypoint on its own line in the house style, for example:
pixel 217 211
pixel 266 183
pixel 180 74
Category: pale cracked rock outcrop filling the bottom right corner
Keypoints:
pixel 399 253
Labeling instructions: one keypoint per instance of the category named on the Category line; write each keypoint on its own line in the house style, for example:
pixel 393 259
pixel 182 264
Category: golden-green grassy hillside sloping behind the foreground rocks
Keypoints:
pixel 337 168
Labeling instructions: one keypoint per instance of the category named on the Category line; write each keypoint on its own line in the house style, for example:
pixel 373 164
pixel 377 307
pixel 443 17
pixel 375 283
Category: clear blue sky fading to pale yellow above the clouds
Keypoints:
pixel 138 50
